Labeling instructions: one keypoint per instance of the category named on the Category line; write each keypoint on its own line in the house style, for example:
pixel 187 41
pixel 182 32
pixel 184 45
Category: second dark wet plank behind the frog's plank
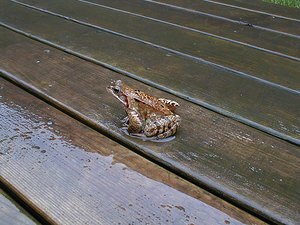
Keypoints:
pixel 214 50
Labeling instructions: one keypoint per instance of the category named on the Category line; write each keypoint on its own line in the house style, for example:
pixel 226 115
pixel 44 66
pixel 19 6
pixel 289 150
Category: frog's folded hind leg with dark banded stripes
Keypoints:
pixel 163 127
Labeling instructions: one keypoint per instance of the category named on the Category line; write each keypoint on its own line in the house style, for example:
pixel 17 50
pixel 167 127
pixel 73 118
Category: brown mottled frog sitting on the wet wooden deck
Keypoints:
pixel 147 116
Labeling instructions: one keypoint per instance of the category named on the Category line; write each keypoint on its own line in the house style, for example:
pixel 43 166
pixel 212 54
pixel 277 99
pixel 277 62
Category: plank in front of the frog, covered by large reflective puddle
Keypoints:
pixel 77 176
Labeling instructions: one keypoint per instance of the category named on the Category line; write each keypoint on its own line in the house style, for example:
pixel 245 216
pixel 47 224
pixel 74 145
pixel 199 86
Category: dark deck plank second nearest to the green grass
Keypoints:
pixel 272 22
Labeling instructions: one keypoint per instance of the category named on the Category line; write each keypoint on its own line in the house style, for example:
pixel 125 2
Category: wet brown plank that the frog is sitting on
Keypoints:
pixel 244 165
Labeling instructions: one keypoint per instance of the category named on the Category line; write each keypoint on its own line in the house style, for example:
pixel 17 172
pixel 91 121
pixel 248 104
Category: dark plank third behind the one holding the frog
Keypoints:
pixel 236 32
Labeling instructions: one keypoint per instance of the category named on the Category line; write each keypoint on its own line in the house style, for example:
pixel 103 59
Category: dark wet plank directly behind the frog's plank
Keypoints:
pixel 259 104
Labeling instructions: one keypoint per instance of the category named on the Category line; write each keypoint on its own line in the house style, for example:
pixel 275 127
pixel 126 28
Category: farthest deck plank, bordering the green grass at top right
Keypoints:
pixel 265 7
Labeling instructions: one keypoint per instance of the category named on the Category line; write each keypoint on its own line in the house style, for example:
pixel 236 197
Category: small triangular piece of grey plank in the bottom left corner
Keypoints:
pixel 12 213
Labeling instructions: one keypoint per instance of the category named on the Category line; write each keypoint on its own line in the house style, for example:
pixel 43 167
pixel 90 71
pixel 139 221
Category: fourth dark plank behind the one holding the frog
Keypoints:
pixel 273 22
